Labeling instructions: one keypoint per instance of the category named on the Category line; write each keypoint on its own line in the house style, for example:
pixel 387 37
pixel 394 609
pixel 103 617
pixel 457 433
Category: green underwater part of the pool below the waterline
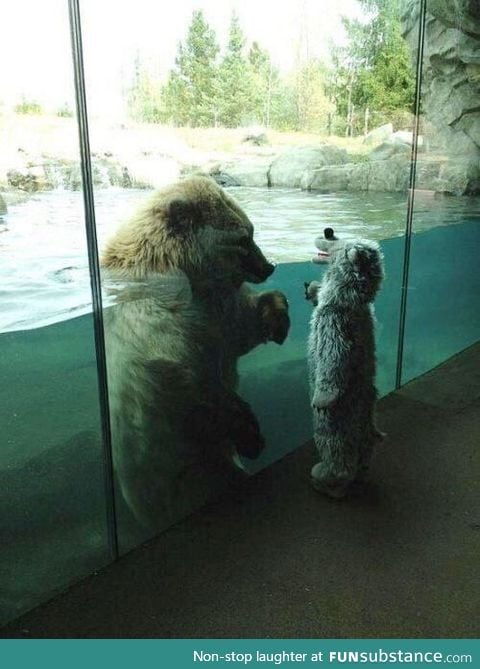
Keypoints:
pixel 52 504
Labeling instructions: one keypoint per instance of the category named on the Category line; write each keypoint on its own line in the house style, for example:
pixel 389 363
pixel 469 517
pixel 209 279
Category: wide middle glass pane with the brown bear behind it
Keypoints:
pixel 293 129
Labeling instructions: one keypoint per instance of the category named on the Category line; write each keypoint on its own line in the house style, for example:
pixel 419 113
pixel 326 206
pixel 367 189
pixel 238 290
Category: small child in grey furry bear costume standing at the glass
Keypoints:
pixel 342 361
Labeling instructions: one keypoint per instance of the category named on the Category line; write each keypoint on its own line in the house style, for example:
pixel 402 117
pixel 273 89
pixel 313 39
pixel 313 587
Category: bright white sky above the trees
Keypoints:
pixel 35 53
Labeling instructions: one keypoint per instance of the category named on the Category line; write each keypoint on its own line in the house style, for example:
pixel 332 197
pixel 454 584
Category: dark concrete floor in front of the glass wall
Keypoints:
pixel 275 559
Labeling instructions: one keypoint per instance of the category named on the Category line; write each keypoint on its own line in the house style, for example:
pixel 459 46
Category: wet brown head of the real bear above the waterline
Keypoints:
pixel 193 226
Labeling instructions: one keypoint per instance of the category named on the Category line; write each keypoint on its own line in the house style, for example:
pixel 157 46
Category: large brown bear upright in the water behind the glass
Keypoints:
pixel 182 317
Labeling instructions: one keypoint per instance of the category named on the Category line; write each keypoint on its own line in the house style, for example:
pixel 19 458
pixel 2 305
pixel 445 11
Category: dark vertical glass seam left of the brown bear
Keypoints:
pixel 94 268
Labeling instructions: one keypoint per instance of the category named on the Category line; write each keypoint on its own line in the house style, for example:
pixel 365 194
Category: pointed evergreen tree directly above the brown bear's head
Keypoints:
pixel 190 95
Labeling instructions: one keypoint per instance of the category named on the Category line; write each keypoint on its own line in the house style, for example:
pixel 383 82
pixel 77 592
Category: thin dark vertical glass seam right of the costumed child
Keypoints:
pixel 411 193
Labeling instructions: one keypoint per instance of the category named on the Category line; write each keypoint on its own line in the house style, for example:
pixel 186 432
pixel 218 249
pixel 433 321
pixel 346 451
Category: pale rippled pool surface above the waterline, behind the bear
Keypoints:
pixel 43 258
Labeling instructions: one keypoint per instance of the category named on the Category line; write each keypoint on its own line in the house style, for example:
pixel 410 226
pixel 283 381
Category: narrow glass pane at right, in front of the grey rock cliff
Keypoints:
pixel 443 316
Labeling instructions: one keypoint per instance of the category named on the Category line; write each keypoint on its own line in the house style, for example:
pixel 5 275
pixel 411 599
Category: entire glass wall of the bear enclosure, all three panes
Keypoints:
pixel 256 131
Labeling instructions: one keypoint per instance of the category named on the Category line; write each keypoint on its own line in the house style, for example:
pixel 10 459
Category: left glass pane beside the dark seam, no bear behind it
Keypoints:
pixel 52 505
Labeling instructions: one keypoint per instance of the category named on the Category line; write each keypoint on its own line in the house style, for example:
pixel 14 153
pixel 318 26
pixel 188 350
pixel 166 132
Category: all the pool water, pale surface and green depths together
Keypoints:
pixel 53 525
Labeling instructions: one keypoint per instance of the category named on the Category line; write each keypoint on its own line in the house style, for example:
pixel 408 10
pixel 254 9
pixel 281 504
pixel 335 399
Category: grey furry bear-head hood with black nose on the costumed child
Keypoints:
pixel 355 267
